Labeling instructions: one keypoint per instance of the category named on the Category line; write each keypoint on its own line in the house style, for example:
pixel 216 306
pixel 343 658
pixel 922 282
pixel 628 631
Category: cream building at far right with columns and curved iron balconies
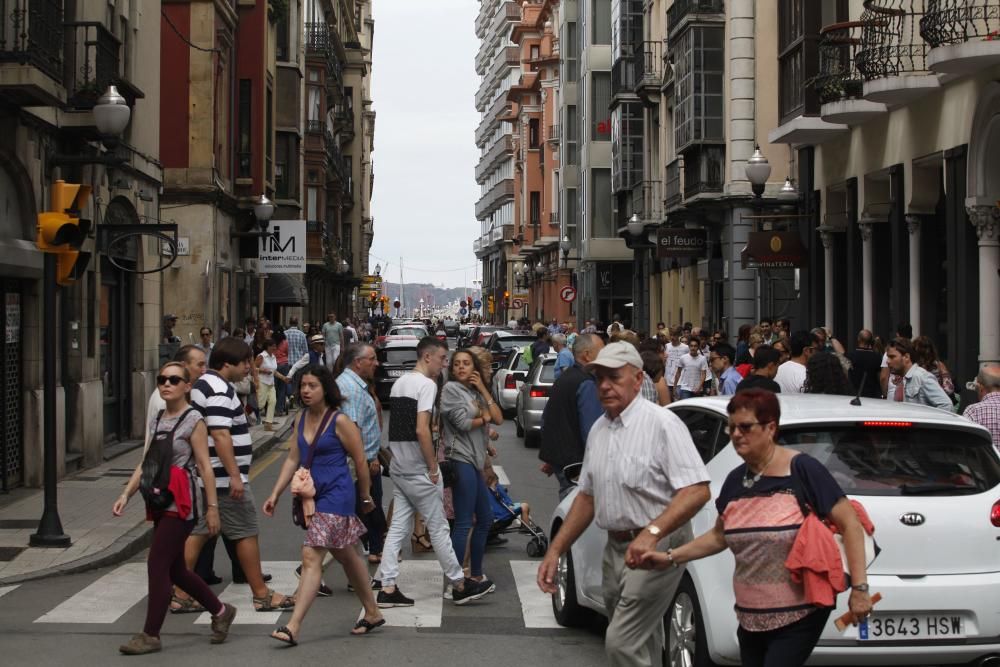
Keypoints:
pixel 894 117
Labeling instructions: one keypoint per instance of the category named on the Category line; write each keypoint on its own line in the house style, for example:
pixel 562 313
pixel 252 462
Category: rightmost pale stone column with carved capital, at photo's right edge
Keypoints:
pixel 986 220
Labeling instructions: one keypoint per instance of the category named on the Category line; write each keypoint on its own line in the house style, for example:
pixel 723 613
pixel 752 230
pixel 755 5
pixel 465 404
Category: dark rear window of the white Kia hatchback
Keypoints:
pixel 878 460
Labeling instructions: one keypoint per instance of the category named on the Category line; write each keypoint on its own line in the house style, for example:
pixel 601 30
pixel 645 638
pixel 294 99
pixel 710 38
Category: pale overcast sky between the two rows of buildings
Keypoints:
pixel 424 84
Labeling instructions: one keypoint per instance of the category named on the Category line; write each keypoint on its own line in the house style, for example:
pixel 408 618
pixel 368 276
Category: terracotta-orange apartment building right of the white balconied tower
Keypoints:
pixel 540 247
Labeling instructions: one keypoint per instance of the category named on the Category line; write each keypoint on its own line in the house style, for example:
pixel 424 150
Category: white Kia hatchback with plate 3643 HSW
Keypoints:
pixel 929 480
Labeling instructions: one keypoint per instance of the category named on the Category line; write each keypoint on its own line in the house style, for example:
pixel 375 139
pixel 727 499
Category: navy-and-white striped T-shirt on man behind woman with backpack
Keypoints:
pixel 219 405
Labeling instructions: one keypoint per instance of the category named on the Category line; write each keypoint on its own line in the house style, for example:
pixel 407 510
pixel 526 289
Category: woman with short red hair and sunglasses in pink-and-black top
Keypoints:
pixel 760 515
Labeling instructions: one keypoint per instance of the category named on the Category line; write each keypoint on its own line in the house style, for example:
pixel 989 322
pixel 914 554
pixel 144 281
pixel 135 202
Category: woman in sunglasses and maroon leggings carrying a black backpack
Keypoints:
pixel 171 527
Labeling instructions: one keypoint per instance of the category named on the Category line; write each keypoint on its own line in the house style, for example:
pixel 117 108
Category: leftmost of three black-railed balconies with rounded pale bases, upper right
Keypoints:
pixel 838 85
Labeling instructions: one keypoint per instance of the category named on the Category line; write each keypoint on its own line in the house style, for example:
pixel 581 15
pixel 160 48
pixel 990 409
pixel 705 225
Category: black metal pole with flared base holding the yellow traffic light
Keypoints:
pixel 50 532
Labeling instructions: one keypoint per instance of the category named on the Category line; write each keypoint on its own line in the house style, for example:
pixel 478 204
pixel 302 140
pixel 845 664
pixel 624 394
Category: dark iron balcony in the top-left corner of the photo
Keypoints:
pixel 31 52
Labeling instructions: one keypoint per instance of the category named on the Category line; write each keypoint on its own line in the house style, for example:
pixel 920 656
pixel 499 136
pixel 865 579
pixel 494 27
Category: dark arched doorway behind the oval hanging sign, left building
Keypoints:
pixel 117 323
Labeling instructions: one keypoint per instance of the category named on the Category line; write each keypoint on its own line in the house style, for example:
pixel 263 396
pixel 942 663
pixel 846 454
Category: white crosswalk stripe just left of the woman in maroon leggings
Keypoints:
pixel 104 601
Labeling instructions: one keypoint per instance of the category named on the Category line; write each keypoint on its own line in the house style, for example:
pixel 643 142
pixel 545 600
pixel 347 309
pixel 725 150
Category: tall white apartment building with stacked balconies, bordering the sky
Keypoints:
pixel 498 63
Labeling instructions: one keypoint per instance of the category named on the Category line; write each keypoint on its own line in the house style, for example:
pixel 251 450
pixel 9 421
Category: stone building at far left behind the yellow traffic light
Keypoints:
pixel 56 60
